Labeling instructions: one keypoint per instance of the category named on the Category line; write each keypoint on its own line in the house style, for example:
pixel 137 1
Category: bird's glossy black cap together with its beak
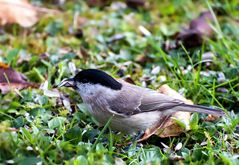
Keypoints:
pixel 92 76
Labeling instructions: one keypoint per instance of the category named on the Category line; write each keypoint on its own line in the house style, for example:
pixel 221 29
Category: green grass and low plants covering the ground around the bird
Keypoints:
pixel 35 128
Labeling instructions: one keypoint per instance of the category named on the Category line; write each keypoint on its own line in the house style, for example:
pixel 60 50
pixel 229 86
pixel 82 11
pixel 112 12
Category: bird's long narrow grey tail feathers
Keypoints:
pixel 201 109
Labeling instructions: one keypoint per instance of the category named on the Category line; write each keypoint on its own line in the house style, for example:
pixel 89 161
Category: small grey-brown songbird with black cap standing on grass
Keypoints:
pixel 133 108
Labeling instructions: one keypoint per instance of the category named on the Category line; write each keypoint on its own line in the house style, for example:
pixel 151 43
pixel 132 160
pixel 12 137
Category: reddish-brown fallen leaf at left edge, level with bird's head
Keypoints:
pixel 11 79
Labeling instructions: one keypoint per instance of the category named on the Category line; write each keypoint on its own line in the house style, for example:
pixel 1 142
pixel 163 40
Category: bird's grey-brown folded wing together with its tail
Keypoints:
pixel 133 100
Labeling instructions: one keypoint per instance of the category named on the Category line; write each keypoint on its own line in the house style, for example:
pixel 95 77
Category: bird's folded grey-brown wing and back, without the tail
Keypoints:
pixel 134 99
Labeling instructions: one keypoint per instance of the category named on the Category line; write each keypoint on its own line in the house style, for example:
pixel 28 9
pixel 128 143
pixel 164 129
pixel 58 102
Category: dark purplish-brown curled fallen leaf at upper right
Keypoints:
pixel 198 30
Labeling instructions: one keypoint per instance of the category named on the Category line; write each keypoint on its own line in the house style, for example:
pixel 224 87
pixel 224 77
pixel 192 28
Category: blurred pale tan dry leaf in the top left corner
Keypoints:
pixel 17 11
